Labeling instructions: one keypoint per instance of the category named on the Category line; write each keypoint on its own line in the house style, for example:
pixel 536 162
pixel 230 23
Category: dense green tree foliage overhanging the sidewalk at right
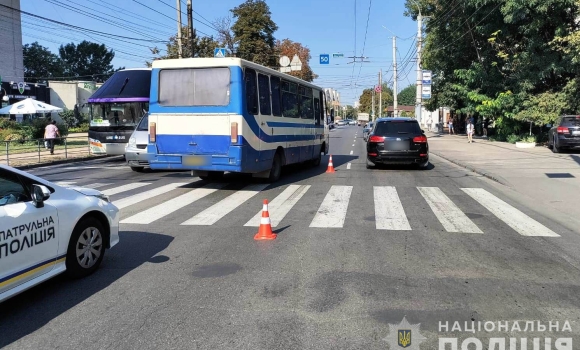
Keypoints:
pixel 503 59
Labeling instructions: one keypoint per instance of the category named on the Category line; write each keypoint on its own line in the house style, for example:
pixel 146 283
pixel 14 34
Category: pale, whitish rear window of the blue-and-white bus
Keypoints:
pixel 194 87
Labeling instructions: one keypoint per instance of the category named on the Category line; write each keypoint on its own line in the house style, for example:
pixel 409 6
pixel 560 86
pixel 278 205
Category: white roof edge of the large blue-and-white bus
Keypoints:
pixel 224 62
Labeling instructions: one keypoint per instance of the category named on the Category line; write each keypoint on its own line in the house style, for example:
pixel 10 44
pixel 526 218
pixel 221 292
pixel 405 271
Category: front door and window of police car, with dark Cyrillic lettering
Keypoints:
pixel 28 235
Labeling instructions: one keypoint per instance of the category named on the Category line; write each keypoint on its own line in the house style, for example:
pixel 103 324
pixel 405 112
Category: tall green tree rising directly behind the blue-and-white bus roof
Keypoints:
pixel 254 31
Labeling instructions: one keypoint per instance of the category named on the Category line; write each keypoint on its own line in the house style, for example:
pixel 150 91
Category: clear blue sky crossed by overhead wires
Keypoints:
pixel 350 27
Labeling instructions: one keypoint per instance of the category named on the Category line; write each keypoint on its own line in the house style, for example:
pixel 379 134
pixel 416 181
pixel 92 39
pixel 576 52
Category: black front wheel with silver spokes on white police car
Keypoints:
pixel 86 248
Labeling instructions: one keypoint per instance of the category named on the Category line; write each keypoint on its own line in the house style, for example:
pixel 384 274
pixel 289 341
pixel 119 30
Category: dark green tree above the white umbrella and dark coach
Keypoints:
pixel 86 60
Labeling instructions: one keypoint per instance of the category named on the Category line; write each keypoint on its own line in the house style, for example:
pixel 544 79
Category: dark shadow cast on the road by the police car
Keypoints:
pixel 33 309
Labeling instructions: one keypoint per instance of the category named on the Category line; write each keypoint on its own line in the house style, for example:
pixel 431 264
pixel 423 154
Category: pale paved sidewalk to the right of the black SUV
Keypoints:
pixel 548 178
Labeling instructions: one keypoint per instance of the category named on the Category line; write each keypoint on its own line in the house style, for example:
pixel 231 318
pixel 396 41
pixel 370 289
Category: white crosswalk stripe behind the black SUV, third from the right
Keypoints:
pixel 389 212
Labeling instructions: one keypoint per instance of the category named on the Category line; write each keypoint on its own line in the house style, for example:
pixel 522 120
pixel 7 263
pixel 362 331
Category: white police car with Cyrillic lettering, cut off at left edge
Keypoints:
pixel 46 229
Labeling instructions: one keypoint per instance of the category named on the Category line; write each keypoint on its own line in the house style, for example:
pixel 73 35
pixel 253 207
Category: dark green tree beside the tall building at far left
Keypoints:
pixel 40 64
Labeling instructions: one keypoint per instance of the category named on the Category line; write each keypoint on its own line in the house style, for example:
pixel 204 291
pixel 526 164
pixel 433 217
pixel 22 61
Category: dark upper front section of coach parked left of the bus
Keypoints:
pixel 127 85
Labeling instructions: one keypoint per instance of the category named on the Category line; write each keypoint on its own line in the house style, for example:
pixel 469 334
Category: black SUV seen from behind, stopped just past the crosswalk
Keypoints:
pixel 397 141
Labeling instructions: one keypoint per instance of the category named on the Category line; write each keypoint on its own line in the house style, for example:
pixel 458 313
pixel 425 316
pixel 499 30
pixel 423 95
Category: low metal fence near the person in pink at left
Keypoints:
pixel 25 152
